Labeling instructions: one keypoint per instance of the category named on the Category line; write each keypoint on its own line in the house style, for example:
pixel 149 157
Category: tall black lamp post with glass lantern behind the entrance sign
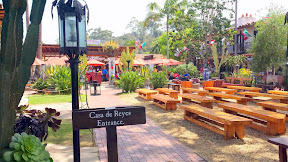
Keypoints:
pixel 72 42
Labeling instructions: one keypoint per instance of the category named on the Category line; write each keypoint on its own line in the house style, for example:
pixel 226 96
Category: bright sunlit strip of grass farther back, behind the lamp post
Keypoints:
pixel 48 99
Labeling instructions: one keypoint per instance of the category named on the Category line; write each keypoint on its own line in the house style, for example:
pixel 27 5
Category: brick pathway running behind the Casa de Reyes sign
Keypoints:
pixel 145 142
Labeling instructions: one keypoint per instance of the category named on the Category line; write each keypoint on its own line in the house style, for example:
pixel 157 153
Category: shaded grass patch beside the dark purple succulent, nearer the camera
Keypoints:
pixel 64 135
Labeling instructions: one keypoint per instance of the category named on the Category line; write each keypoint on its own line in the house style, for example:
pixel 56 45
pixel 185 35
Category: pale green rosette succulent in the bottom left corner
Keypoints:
pixel 25 147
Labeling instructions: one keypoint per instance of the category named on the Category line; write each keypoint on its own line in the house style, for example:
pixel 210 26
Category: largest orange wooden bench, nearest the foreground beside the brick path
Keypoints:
pixel 216 120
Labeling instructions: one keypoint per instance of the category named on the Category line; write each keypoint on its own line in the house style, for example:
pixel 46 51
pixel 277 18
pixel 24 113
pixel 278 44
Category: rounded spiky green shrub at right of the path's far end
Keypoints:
pixel 129 81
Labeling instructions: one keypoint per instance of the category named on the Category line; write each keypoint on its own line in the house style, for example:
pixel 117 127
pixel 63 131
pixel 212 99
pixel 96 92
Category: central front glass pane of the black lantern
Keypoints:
pixel 70 30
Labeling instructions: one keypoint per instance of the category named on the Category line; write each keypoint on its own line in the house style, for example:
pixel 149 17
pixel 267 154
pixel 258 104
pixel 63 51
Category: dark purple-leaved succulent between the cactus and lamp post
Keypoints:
pixel 36 122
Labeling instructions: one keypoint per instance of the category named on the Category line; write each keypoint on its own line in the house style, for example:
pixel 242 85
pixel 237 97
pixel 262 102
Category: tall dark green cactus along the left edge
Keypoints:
pixel 16 59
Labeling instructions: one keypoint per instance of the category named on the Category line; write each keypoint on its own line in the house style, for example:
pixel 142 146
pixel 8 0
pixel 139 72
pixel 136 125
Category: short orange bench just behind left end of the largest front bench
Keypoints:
pixel 204 101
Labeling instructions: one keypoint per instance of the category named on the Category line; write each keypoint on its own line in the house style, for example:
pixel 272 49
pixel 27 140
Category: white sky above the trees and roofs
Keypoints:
pixel 114 15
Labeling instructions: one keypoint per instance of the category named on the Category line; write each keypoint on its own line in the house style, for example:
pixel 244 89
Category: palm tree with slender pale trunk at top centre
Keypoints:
pixel 156 13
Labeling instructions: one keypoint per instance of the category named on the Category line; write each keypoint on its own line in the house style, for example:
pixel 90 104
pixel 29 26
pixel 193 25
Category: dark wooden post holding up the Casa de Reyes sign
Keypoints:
pixel 112 147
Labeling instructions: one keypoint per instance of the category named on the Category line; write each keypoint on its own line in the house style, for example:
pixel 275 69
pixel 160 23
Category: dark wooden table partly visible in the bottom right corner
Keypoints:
pixel 282 142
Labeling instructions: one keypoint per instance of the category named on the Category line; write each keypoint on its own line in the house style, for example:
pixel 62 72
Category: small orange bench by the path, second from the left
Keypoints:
pixel 165 102
